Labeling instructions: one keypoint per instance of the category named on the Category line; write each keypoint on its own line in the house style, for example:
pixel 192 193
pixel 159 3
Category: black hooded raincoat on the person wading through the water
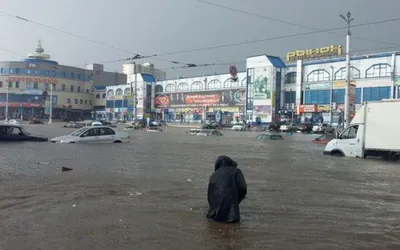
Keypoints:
pixel 226 189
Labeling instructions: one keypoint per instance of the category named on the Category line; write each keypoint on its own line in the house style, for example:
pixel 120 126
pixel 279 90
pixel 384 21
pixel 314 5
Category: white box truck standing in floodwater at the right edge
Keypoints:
pixel 373 132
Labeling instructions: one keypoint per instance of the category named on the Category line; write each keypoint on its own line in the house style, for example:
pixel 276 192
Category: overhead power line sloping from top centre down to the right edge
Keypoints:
pixel 286 22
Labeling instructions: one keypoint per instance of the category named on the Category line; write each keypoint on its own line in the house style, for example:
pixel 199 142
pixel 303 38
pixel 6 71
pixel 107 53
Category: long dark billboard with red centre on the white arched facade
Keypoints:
pixel 231 97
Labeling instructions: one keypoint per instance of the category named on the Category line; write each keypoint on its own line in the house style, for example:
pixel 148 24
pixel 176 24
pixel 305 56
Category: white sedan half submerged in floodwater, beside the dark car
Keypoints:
pixel 93 134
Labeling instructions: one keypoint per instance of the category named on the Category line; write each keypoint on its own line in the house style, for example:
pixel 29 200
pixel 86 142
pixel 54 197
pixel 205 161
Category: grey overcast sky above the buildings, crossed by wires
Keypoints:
pixel 150 27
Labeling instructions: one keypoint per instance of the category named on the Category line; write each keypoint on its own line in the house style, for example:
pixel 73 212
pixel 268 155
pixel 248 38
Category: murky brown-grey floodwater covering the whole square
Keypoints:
pixel 151 194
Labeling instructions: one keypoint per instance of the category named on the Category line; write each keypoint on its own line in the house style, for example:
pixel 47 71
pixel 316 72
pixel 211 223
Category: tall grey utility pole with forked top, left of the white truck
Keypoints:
pixel 348 20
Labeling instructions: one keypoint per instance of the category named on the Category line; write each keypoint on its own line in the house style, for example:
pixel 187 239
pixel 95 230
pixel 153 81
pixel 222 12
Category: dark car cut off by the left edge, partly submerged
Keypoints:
pixel 18 133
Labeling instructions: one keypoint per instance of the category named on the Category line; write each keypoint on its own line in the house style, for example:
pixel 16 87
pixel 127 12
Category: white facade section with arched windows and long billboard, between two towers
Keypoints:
pixel 215 97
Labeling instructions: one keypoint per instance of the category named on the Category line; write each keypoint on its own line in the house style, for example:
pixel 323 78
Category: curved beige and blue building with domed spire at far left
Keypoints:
pixel 27 85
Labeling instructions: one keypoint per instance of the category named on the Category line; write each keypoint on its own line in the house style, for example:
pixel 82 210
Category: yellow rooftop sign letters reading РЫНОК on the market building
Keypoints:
pixel 315 53
